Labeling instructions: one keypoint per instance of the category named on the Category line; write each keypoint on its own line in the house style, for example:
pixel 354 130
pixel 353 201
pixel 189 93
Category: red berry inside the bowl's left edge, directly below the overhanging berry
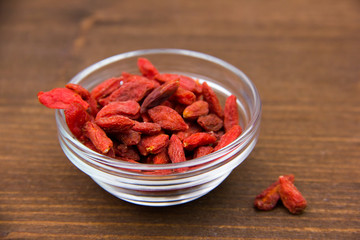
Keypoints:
pixel 76 116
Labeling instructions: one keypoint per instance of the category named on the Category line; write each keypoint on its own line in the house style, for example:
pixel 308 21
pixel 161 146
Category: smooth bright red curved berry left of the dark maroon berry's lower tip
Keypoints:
pixel 128 109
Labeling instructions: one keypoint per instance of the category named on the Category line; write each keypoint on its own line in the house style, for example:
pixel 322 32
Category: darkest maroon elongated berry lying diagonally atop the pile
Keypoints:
pixel 159 95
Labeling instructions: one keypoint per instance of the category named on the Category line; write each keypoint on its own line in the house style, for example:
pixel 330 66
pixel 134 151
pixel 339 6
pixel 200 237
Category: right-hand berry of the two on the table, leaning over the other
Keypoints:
pixel 290 196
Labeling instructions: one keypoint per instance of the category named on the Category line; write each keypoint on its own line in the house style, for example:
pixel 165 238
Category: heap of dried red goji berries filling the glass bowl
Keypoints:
pixel 148 118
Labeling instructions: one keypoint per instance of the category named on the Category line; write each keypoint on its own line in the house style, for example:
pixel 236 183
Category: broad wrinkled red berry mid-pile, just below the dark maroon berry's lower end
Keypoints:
pixel 167 118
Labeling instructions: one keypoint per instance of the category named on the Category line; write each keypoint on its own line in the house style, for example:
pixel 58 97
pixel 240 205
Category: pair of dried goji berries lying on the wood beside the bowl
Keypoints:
pixel 285 190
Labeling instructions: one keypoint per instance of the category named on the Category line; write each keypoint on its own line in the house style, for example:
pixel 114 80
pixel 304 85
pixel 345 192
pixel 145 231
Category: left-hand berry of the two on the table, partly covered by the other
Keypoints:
pixel 269 197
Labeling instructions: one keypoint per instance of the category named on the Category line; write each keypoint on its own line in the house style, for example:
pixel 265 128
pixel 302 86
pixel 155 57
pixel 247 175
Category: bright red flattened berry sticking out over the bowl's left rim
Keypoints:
pixel 60 98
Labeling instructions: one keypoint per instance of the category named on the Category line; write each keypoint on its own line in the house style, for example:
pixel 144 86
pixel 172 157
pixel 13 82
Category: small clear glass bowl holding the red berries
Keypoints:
pixel 139 183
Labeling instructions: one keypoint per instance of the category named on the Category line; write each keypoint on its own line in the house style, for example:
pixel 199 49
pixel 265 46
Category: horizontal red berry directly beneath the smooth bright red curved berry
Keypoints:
pixel 116 123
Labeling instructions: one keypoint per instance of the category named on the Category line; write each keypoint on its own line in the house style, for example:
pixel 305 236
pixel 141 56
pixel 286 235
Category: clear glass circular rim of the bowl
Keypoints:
pixel 244 138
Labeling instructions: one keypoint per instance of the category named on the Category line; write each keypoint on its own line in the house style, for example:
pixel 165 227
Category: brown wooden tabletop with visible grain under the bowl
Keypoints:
pixel 304 58
